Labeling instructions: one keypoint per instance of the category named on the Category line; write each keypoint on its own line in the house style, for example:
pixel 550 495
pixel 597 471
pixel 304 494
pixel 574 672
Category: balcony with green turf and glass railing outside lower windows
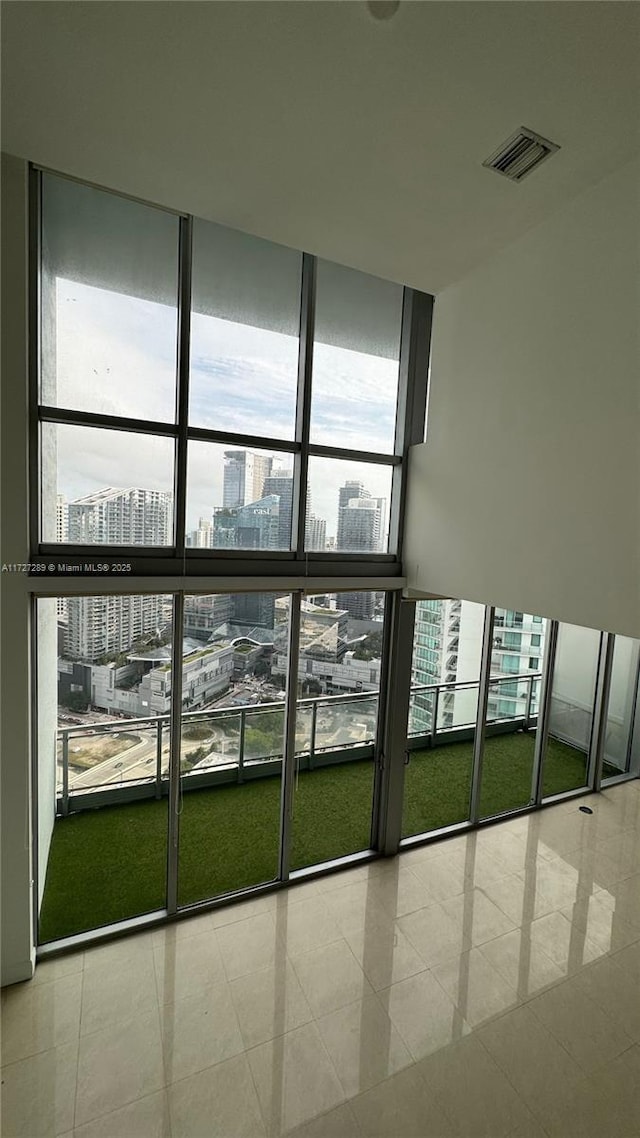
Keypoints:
pixel 109 853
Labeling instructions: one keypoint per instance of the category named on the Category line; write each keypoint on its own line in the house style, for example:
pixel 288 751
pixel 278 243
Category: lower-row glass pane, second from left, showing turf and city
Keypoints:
pixel 235 670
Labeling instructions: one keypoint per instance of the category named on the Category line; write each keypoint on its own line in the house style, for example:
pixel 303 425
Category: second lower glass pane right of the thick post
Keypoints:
pixel 512 714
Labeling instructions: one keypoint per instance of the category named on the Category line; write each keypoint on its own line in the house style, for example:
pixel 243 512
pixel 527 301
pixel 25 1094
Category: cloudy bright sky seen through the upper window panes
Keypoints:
pixel 116 356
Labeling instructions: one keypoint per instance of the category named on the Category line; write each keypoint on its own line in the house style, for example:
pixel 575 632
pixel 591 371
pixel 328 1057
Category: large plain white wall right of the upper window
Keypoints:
pixel 527 493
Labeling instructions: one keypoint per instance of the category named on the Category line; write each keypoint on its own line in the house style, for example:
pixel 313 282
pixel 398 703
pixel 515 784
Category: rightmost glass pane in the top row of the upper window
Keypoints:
pixel 356 360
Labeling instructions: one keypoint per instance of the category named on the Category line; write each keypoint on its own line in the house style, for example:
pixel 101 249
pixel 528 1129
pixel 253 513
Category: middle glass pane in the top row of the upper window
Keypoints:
pixel 245 325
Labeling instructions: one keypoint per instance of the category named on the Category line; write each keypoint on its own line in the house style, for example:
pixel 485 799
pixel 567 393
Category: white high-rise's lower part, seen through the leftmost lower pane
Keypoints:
pixel 106 625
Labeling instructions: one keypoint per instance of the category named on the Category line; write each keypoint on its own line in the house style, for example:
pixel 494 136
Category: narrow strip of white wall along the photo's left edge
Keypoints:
pixel 17 945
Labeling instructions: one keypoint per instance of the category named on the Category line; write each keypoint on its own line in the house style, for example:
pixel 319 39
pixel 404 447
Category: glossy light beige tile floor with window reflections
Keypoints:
pixel 485 986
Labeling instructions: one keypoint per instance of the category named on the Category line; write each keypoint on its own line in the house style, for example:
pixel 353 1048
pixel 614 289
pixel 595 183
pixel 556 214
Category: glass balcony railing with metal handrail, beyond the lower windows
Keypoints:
pixel 103 763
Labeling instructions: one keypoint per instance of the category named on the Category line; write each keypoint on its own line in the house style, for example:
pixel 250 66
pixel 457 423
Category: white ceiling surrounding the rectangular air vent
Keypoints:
pixel 315 126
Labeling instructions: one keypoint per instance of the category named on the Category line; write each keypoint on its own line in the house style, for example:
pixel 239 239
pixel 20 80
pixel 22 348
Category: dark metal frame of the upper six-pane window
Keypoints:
pixel 179 558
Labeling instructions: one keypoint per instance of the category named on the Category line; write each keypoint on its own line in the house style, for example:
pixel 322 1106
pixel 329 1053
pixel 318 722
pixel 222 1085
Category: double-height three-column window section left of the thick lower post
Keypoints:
pixel 210 406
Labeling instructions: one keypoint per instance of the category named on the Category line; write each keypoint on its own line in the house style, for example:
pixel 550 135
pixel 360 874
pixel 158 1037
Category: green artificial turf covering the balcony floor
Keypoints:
pixel 110 864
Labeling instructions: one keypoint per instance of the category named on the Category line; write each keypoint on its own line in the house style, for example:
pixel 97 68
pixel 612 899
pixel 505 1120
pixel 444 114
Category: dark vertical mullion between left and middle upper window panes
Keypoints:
pixel 184 344
